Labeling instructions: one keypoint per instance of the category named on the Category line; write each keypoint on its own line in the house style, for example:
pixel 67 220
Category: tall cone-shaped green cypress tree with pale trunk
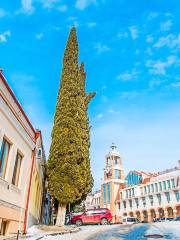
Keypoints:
pixel 68 168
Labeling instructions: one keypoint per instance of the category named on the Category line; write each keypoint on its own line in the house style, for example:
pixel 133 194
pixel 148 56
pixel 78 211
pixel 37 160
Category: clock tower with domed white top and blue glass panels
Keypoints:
pixel 113 179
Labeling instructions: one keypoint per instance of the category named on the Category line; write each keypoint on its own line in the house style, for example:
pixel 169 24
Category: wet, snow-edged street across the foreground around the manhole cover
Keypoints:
pixel 170 230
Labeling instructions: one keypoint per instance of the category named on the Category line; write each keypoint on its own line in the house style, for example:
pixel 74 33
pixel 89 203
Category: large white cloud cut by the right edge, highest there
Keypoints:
pixel 170 41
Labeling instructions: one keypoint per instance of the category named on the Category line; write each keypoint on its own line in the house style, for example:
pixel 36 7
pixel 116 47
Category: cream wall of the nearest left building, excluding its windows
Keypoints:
pixel 12 198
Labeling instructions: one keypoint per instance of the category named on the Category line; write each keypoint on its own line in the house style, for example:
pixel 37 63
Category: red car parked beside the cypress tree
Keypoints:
pixel 100 215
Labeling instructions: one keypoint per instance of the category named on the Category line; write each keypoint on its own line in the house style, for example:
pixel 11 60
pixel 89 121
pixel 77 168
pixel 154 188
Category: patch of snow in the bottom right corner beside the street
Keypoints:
pixel 171 230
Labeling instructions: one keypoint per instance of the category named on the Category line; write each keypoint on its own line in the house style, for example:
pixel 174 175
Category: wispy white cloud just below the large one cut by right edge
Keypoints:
pixel 159 67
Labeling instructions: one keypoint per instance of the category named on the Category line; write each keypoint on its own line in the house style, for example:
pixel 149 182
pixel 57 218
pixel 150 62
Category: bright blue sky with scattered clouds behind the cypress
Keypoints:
pixel 131 54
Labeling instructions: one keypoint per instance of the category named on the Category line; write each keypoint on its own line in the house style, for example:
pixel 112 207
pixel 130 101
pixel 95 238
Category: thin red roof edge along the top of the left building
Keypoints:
pixel 15 100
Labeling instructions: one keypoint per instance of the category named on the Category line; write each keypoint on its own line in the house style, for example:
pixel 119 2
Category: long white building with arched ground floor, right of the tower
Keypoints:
pixel 157 196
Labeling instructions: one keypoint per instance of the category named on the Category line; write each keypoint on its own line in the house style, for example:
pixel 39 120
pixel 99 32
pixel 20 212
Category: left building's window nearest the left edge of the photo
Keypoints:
pixel 4 153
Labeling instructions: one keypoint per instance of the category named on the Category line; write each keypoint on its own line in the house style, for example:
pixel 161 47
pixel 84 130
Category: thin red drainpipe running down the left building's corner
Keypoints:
pixel 29 189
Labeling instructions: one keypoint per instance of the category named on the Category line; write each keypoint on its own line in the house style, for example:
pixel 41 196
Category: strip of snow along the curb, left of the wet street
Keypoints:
pixel 85 232
